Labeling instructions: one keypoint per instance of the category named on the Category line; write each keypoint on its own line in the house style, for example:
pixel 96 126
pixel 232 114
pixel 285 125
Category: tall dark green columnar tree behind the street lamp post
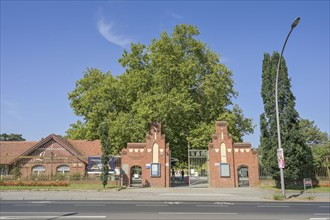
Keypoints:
pixel 297 154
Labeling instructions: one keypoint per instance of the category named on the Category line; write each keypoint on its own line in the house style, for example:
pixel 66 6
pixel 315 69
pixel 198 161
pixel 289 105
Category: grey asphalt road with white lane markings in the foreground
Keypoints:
pixel 138 210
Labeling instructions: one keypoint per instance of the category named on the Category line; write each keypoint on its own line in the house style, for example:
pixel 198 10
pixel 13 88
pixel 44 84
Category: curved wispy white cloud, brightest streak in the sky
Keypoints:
pixel 107 30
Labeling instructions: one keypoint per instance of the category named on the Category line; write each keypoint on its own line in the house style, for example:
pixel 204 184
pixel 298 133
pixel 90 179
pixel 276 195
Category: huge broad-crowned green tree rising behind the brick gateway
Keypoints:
pixel 176 80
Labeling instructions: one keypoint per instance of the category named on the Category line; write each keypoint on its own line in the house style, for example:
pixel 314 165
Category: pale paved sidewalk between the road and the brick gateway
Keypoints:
pixel 167 194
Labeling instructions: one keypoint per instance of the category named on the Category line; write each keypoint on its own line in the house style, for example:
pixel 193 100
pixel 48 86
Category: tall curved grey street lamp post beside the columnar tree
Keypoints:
pixel 294 24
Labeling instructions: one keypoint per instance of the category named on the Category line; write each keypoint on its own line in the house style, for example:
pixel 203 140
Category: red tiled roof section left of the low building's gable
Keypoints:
pixel 9 150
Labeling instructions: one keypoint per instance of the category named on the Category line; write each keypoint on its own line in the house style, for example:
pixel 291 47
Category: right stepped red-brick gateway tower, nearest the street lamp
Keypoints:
pixel 231 165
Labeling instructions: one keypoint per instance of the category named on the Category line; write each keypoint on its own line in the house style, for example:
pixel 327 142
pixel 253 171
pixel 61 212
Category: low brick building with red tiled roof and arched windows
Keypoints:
pixel 50 156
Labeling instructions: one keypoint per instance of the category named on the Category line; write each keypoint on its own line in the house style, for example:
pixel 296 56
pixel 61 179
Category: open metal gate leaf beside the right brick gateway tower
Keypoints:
pixel 198 165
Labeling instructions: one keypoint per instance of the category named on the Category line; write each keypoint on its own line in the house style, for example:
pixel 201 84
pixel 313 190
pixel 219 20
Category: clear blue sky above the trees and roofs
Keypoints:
pixel 46 46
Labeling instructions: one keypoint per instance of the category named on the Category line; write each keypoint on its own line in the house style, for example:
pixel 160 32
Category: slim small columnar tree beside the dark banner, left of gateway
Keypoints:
pixel 105 142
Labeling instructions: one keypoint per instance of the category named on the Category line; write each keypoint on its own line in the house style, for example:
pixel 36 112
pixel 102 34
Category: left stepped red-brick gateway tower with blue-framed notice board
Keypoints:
pixel 147 164
